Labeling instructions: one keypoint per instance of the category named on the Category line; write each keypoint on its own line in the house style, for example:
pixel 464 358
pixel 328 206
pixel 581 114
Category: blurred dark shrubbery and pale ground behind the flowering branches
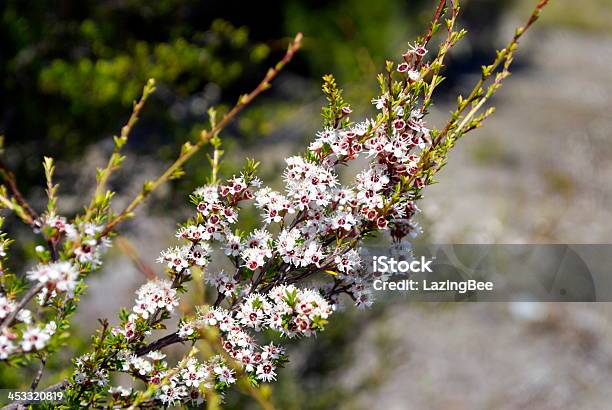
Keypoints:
pixel 540 171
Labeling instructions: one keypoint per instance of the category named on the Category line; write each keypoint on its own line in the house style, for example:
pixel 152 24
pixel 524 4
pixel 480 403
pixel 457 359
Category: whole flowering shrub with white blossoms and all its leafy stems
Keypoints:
pixel 286 277
